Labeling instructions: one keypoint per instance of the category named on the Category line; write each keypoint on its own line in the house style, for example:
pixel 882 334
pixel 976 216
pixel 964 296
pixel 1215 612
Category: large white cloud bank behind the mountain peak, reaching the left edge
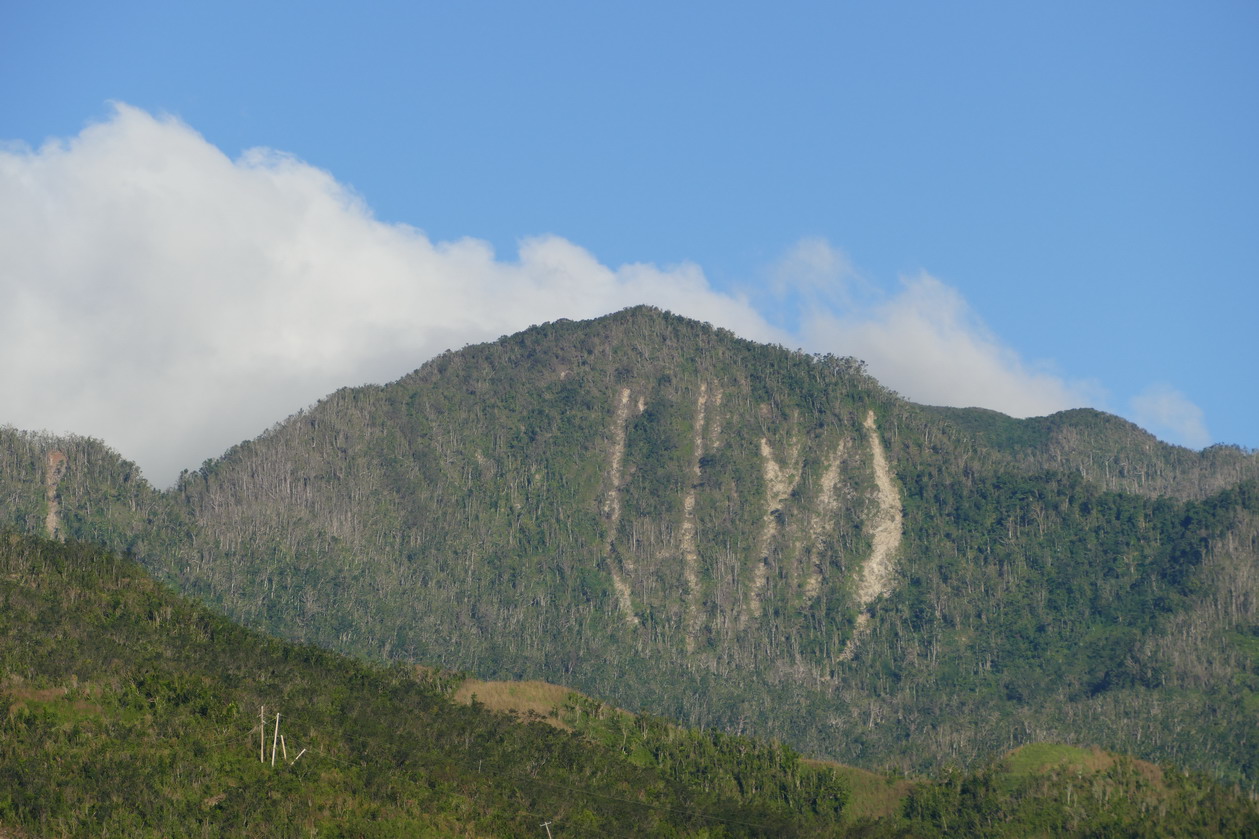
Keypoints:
pixel 173 302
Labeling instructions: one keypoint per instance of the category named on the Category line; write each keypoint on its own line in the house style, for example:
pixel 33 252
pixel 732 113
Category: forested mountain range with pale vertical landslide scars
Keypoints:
pixel 670 518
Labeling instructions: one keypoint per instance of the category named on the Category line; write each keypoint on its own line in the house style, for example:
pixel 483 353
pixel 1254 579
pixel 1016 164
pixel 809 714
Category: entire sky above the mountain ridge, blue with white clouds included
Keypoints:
pixel 1053 205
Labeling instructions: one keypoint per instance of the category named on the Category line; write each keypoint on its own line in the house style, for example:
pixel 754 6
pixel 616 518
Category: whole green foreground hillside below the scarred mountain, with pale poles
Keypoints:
pixel 133 712
